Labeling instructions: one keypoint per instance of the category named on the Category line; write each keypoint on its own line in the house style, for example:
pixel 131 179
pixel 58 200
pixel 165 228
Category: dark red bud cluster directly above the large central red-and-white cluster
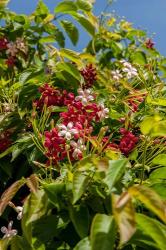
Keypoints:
pixel 89 74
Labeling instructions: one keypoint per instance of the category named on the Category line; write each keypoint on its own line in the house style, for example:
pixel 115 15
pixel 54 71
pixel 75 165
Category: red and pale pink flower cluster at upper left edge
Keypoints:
pixel 12 49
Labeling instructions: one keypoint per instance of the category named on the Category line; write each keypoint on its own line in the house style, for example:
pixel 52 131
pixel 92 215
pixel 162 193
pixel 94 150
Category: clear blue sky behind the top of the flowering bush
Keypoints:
pixel 149 15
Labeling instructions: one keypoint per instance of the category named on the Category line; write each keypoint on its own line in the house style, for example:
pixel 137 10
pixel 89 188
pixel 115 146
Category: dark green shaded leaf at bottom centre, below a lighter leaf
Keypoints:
pixel 80 217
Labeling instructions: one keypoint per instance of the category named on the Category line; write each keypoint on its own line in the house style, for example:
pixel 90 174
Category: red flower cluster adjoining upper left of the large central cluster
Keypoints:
pixel 53 97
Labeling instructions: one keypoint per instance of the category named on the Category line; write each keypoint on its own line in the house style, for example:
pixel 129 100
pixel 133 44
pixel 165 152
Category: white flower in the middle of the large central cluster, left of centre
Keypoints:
pixel 67 131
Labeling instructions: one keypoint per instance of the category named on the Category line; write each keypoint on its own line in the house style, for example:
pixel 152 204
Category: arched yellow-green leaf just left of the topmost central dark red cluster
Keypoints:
pixel 71 69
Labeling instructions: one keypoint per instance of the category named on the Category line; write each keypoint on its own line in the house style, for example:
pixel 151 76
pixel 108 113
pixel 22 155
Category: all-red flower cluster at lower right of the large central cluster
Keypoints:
pixel 127 142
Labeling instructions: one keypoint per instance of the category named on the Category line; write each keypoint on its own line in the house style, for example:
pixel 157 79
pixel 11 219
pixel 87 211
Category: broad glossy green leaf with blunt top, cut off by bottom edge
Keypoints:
pixel 103 231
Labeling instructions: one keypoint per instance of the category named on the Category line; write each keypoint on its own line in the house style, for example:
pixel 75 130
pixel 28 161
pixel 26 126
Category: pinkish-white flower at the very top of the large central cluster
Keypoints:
pixel 85 96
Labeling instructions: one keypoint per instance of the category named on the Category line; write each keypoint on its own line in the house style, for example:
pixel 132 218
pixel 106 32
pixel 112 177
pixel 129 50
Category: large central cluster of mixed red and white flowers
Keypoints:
pixel 69 137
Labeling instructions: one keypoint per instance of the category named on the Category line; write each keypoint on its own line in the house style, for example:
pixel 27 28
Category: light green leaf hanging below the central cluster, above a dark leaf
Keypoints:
pixel 79 185
